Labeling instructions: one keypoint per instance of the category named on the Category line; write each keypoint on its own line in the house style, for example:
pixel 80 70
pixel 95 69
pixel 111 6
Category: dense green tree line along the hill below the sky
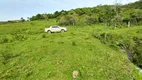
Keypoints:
pixel 114 15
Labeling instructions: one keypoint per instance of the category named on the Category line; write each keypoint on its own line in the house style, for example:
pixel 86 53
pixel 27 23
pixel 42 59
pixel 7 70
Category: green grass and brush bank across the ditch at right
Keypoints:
pixel 128 39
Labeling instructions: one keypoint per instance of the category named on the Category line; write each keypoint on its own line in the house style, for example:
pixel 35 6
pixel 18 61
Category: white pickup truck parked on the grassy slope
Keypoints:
pixel 55 29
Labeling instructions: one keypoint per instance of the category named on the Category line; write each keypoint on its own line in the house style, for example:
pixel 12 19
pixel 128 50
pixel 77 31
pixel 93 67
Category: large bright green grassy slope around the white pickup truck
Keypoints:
pixel 55 56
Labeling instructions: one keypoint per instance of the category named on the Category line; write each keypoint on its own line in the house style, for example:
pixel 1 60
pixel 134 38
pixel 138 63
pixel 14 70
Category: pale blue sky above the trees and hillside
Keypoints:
pixel 15 9
